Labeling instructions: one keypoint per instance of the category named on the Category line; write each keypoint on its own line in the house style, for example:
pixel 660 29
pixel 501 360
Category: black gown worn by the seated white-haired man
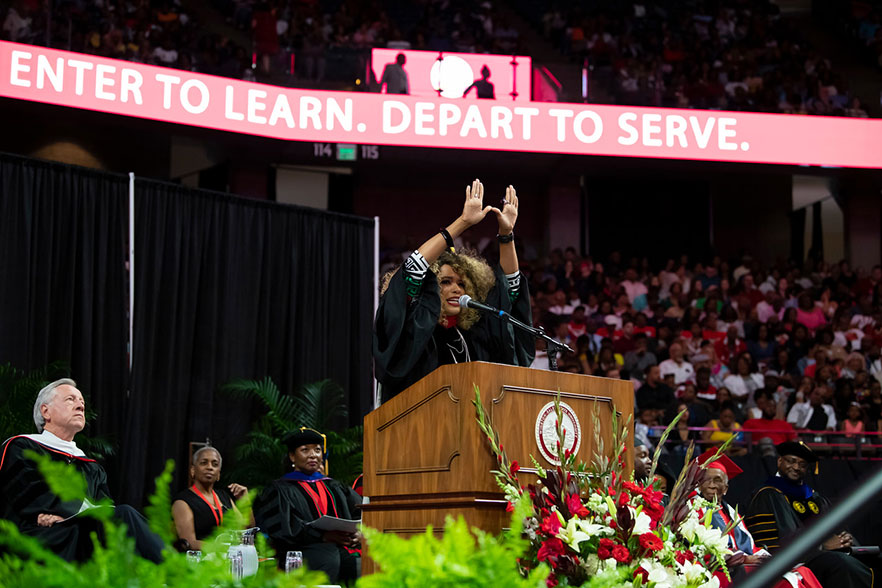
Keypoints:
pixel 27 495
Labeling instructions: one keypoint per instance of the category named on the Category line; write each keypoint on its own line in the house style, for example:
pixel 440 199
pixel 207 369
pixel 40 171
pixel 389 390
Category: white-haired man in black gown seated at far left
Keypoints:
pixel 59 414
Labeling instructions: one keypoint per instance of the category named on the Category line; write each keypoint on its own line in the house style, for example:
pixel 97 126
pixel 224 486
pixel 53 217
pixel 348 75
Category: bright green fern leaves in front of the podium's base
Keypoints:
pixel 460 558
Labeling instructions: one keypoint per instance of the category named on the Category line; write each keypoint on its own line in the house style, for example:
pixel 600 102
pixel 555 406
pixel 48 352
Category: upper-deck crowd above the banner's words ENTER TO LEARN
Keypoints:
pixel 266 38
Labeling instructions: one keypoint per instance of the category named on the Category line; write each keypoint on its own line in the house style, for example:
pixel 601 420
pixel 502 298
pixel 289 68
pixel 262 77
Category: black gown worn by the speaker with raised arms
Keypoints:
pixel 405 348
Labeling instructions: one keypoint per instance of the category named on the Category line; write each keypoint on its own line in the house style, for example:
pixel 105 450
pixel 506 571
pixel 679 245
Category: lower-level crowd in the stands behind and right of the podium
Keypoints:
pixel 739 346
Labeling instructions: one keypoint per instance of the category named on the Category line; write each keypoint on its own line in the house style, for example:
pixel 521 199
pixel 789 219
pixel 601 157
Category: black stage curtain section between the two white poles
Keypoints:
pixel 234 288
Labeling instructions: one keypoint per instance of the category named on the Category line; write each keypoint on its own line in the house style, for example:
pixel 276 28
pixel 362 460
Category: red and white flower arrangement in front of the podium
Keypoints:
pixel 596 528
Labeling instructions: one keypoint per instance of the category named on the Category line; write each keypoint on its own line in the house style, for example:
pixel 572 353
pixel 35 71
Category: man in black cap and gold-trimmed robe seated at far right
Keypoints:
pixel 780 509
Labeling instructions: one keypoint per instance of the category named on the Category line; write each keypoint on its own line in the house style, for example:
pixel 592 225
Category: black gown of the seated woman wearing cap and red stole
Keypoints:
pixel 282 510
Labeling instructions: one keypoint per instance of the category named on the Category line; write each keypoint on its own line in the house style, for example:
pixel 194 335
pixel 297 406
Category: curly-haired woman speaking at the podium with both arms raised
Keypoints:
pixel 420 324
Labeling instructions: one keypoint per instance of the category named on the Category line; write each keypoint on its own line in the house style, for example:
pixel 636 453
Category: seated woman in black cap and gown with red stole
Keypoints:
pixel 286 507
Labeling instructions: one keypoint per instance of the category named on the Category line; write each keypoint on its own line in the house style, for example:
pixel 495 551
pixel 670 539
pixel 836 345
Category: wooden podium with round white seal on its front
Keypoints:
pixel 425 456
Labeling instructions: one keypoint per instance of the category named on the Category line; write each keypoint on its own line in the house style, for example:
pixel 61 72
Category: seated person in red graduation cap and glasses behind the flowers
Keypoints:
pixel 713 488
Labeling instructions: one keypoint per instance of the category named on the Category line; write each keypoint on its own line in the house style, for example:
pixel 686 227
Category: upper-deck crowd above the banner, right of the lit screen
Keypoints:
pixel 712 54
